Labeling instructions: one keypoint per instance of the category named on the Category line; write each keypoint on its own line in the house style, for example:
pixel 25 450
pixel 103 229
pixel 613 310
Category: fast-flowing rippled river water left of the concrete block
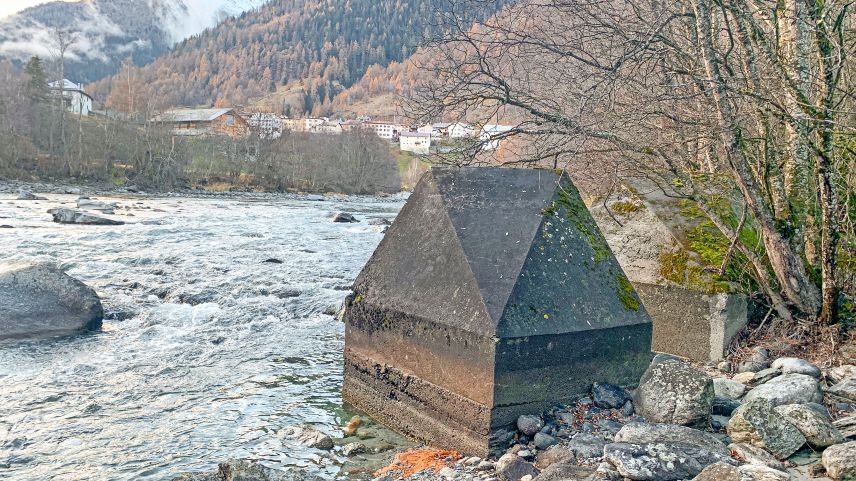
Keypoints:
pixel 208 350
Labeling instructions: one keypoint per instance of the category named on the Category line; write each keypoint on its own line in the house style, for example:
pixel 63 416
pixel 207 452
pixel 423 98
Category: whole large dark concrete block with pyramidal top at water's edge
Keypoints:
pixel 493 295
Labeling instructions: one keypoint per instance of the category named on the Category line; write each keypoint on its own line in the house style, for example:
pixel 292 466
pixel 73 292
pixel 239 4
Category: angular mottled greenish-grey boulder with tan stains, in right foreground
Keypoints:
pixel 756 423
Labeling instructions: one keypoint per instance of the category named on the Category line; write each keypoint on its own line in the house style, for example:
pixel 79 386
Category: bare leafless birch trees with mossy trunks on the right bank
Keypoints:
pixel 742 102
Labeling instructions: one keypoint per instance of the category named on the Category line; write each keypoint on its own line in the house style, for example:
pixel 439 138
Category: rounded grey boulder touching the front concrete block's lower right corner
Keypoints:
pixel 675 393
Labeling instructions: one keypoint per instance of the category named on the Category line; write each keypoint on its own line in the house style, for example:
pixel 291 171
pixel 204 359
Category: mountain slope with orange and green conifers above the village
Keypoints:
pixel 323 46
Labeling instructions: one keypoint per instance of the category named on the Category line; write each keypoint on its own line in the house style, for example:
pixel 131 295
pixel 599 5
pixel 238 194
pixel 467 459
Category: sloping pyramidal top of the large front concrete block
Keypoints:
pixel 500 252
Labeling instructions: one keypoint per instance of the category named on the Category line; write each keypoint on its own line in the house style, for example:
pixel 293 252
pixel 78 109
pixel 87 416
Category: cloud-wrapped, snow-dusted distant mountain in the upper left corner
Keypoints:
pixel 110 31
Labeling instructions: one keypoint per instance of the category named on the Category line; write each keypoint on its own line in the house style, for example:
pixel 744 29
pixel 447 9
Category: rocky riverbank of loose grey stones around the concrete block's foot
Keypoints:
pixel 774 421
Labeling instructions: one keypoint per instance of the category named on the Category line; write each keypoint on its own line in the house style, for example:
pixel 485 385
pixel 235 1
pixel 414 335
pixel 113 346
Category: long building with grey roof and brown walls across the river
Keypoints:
pixel 199 122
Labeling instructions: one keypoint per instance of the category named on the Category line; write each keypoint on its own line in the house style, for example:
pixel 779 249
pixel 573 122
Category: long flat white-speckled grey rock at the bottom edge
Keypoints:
pixel 661 461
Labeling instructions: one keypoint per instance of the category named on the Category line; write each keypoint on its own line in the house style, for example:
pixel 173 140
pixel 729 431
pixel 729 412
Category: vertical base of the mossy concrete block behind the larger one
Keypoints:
pixel 693 325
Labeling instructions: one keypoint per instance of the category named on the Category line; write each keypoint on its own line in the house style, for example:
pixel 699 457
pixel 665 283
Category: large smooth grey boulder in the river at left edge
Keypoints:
pixel 40 299
